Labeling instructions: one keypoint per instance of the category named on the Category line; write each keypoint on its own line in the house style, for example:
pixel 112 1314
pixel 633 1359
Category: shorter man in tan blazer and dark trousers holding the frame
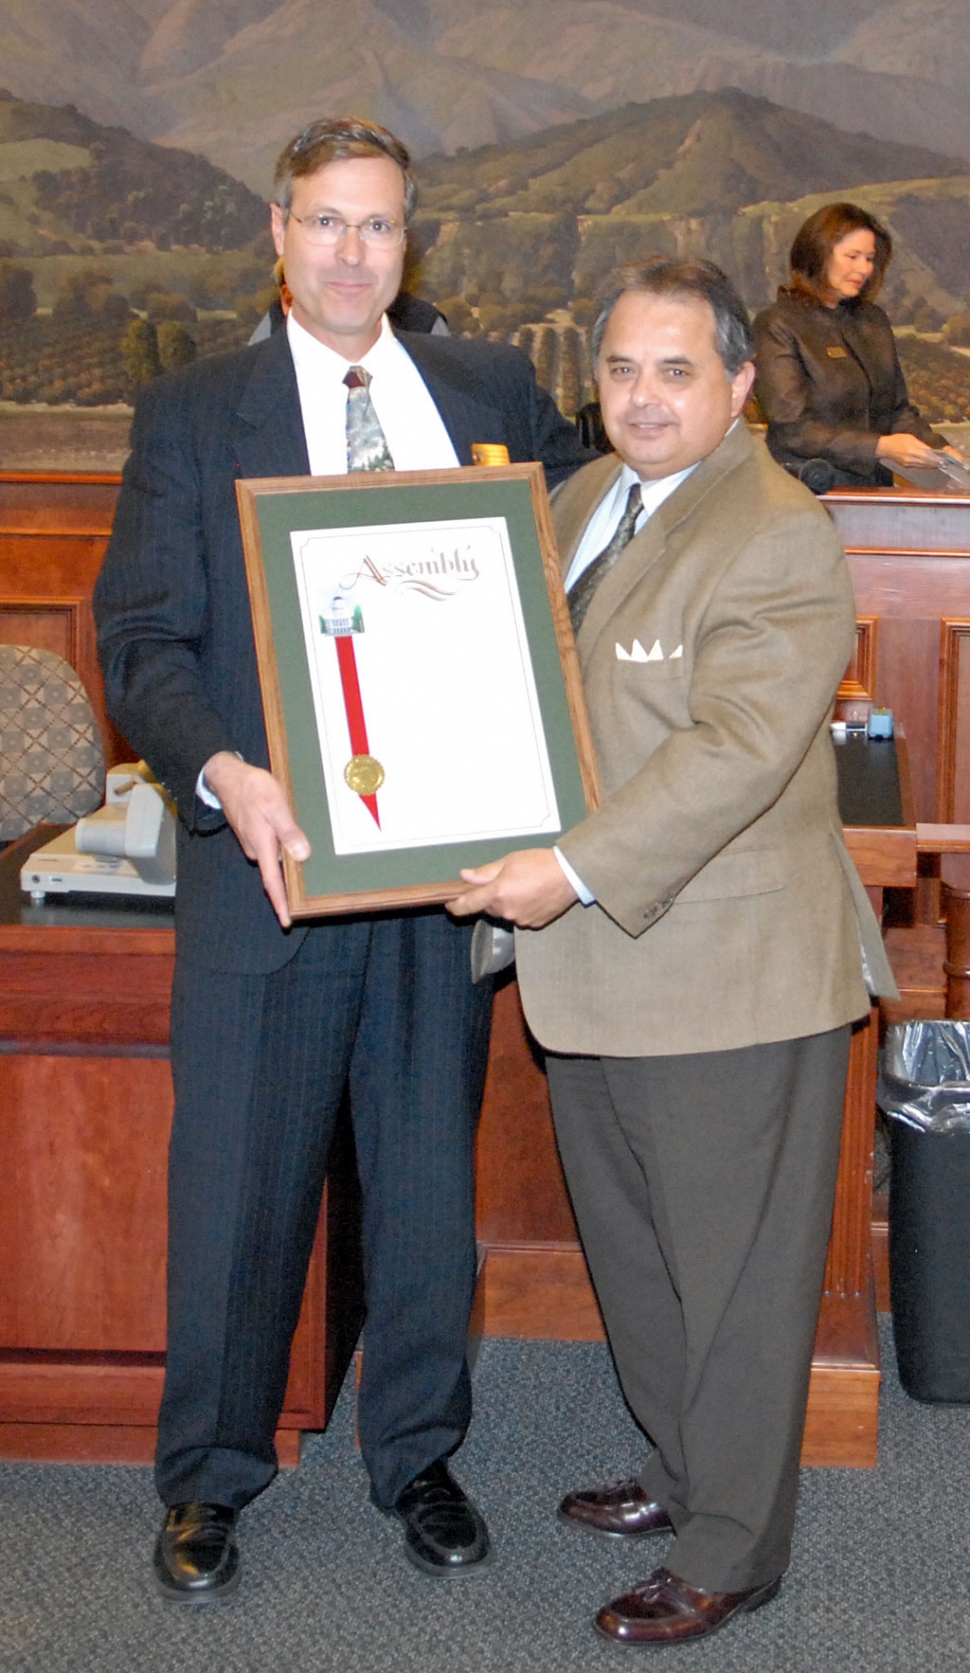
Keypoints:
pixel 697 1008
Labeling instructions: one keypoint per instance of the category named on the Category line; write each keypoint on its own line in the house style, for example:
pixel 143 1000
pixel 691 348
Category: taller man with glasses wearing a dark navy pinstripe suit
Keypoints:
pixel 272 1025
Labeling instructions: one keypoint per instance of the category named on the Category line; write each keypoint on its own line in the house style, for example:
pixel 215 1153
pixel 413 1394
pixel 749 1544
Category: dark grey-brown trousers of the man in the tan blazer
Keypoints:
pixel 703 1187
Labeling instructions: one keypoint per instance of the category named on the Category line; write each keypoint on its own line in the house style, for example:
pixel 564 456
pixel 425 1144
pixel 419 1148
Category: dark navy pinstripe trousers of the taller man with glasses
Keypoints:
pixel 385 1006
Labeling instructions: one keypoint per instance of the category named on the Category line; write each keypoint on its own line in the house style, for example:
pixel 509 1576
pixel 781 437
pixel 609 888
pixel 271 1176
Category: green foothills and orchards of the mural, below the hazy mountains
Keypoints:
pixel 120 257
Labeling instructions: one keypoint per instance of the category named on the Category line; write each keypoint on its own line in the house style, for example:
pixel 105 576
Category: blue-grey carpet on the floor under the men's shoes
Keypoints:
pixel 881 1575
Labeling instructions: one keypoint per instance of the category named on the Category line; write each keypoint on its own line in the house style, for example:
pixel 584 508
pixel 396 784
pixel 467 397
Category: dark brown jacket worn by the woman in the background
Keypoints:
pixel 830 386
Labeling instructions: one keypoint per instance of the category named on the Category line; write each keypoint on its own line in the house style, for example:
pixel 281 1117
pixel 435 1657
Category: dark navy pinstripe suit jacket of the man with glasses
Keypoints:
pixel 171 603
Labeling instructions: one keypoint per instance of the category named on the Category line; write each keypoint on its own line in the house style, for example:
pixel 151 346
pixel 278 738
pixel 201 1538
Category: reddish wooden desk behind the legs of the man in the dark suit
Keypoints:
pixel 86 1103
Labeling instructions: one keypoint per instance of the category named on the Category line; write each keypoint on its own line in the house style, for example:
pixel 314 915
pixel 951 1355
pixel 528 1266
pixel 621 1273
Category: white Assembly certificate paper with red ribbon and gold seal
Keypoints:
pixel 457 735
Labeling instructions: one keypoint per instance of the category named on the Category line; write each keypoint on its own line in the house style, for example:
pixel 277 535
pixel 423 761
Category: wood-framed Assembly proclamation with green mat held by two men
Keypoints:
pixel 419 677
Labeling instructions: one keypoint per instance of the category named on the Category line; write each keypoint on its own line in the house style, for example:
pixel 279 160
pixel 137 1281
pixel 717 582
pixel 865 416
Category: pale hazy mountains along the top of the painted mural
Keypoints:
pixel 232 79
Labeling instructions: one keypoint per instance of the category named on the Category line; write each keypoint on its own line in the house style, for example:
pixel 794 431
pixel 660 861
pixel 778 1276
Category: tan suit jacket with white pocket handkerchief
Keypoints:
pixel 727 908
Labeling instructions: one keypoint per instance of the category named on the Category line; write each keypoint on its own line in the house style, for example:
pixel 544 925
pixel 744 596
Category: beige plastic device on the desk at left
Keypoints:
pixel 125 849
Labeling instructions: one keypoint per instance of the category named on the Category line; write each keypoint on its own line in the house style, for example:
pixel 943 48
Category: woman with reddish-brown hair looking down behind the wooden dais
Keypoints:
pixel 830 384
